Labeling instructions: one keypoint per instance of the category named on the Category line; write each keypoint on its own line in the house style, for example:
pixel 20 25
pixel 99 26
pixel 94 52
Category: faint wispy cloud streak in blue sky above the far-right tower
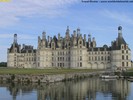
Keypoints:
pixel 119 16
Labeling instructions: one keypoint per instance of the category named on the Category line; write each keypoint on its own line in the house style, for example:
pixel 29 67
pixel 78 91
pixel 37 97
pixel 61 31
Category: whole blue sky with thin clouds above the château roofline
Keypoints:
pixel 29 18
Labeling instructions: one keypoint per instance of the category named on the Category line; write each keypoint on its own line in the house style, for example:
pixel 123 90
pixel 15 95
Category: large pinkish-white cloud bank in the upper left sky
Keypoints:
pixel 11 12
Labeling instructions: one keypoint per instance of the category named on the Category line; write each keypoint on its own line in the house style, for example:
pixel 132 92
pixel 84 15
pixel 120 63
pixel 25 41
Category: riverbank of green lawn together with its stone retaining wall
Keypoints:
pixel 45 75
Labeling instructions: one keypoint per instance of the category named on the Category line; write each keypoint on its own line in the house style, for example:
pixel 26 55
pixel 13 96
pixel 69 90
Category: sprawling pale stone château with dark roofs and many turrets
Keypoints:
pixel 72 51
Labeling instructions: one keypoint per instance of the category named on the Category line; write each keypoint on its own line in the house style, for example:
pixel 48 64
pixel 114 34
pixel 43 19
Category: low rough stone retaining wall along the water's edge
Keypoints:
pixel 47 78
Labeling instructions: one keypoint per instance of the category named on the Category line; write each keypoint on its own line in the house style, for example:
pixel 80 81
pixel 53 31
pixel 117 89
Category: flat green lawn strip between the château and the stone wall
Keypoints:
pixel 43 71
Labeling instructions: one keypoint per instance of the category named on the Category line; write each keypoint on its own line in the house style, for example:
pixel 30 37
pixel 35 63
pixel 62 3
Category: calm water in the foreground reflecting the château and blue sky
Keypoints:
pixel 87 89
